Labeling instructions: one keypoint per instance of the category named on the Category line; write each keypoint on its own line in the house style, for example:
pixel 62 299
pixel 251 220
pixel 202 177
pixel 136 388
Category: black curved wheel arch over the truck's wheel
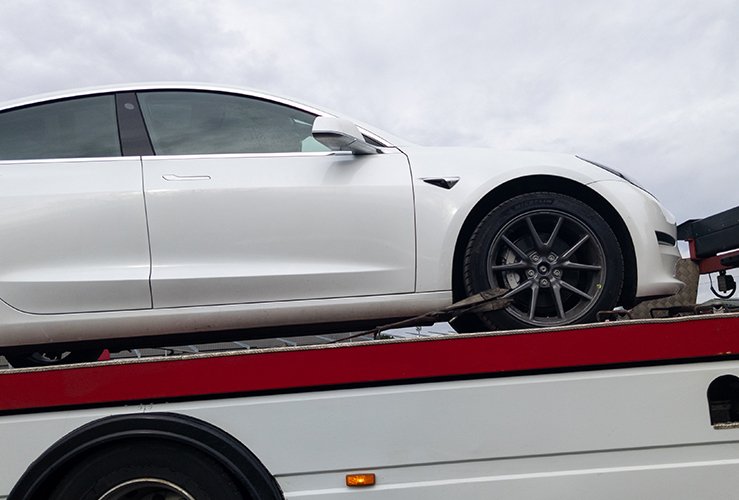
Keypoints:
pixel 247 471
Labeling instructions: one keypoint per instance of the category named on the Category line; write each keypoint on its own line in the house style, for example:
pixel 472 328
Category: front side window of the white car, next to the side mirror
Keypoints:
pixel 198 122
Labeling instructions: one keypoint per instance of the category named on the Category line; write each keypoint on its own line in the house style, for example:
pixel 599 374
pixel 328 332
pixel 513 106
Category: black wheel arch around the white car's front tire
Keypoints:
pixel 554 184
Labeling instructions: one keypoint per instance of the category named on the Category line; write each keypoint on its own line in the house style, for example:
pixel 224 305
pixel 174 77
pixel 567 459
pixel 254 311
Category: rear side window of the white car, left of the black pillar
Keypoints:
pixel 84 127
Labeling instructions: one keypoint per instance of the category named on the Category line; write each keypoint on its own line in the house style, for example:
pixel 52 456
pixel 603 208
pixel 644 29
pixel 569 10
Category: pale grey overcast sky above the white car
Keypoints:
pixel 650 87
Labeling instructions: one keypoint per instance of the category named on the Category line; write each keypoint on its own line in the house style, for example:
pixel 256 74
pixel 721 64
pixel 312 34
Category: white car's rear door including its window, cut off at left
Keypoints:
pixel 73 227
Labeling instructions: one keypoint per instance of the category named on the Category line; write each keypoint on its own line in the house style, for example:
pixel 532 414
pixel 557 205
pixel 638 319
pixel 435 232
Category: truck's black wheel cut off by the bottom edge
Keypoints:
pixel 145 470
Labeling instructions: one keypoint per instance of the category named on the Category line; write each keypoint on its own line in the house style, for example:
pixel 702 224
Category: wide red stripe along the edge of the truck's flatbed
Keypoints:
pixel 303 368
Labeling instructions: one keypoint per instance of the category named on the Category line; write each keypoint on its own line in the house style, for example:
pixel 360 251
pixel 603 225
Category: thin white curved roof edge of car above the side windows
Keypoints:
pixel 132 87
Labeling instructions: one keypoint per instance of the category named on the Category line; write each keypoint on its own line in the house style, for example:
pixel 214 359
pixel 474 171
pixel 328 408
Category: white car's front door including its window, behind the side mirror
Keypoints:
pixel 245 206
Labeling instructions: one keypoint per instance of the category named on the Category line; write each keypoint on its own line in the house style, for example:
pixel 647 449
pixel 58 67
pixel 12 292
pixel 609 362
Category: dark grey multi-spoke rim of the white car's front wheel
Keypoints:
pixel 553 265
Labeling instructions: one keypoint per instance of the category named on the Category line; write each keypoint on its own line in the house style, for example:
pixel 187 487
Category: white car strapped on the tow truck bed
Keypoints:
pixel 138 211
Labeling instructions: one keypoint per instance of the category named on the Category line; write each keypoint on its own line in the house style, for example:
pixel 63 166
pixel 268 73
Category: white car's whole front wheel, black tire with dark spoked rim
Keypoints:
pixel 559 259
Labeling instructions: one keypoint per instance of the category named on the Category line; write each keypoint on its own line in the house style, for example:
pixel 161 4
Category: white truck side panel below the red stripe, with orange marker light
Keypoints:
pixel 601 434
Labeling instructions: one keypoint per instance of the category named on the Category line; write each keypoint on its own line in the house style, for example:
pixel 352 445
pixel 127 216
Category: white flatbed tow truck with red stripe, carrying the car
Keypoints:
pixel 623 409
